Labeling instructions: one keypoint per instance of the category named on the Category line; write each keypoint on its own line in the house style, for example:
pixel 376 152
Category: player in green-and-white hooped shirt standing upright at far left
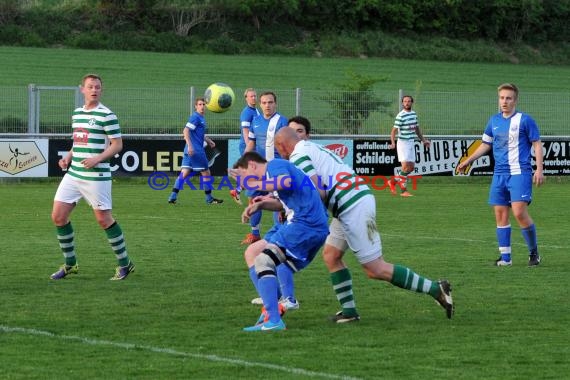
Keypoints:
pixel 96 139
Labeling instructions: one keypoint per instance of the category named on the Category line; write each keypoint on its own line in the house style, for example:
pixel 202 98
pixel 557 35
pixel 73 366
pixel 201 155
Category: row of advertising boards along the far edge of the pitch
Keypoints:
pixel 39 157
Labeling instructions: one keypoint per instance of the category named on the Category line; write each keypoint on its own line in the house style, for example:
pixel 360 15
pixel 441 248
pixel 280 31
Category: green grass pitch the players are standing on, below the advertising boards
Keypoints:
pixel 180 315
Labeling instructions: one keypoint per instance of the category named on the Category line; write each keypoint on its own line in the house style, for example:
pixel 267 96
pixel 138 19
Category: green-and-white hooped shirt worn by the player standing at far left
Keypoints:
pixel 92 130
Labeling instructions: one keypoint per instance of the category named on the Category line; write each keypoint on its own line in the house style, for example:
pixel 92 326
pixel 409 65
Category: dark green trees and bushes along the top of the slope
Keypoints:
pixel 337 28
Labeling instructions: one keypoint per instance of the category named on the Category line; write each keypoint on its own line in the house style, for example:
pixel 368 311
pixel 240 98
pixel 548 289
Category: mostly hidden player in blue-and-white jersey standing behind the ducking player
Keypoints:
pixel 261 140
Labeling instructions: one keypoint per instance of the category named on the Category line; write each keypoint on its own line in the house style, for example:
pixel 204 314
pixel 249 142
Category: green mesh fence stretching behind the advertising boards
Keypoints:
pixel 43 109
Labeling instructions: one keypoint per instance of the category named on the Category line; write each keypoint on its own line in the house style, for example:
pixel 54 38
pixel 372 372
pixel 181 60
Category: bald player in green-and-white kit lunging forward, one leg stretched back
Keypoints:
pixel 353 207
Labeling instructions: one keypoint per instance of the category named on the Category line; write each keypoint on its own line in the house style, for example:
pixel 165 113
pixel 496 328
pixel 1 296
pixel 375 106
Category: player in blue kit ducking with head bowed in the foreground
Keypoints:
pixel 295 243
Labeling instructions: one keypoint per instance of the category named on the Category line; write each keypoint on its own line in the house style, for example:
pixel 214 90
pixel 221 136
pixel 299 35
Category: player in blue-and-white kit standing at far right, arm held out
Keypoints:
pixel 511 134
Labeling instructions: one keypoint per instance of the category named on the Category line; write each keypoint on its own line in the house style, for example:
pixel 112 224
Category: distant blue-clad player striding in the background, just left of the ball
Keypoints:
pixel 195 158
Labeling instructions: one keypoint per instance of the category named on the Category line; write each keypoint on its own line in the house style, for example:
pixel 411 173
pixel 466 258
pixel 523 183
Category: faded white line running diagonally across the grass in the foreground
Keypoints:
pixel 169 351
